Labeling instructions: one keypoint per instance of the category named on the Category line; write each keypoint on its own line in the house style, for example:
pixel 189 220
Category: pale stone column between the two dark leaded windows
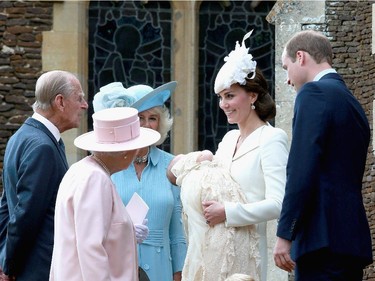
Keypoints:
pixel 185 54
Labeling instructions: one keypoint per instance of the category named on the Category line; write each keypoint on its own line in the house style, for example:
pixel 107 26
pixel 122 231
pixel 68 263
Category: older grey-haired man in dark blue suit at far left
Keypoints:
pixel 34 164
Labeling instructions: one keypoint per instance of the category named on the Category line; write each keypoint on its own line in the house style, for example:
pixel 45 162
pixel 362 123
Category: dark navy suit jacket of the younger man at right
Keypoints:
pixel 323 206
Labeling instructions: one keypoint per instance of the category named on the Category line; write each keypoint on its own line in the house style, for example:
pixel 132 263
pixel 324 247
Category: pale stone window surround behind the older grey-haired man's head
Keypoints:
pixel 66 48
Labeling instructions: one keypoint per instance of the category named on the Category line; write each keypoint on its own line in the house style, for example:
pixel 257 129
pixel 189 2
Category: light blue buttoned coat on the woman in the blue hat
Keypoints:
pixel 164 250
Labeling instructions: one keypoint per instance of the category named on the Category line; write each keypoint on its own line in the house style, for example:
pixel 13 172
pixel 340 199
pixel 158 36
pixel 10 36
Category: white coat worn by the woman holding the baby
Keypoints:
pixel 259 166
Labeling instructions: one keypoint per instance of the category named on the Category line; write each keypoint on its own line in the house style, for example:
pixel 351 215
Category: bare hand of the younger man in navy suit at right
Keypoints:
pixel 281 255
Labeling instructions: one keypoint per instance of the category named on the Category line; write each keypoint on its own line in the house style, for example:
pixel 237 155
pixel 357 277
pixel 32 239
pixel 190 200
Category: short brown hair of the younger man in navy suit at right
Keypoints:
pixel 312 42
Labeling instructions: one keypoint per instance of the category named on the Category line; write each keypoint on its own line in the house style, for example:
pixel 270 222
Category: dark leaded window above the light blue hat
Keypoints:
pixel 129 42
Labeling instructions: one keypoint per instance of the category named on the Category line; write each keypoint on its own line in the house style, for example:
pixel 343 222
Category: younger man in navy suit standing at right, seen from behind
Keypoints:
pixel 323 232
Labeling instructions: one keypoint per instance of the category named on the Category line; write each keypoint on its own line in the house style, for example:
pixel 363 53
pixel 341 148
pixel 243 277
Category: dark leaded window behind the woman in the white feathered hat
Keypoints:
pixel 221 24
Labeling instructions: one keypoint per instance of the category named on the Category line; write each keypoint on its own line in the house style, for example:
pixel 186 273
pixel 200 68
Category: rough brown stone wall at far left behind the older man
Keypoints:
pixel 21 27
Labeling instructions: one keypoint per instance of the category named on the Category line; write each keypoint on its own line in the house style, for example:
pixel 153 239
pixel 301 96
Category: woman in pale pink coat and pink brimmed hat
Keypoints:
pixel 94 235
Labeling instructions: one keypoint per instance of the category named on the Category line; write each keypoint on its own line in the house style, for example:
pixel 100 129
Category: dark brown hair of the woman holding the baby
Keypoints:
pixel 264 105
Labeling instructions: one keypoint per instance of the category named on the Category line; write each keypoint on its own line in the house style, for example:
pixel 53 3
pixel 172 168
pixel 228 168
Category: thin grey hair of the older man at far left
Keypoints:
pixel 49 85
